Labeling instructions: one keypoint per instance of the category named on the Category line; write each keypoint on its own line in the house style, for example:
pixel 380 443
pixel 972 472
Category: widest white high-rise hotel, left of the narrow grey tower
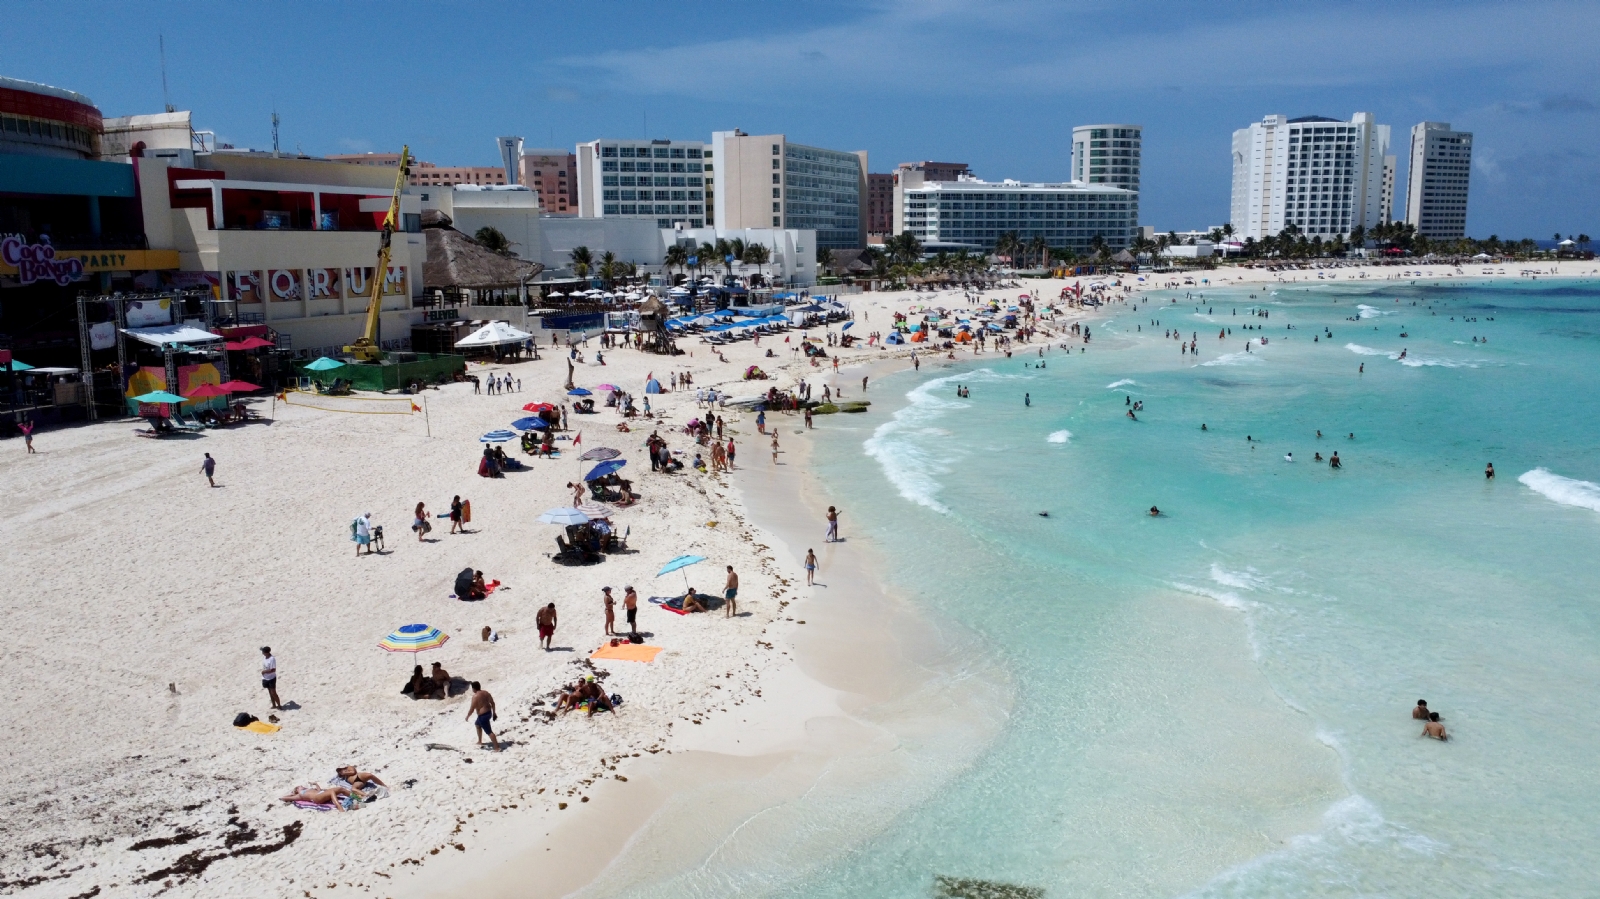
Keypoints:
pixel 1322 175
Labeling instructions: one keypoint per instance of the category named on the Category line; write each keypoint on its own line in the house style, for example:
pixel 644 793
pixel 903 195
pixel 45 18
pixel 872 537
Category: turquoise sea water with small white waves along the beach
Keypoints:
pixel 1217 701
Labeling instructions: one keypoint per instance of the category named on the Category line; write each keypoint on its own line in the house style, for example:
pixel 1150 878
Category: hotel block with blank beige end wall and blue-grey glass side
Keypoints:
pixel 769 182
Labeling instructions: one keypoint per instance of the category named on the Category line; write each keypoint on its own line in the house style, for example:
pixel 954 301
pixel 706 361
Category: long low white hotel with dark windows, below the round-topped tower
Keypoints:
pixel 974 214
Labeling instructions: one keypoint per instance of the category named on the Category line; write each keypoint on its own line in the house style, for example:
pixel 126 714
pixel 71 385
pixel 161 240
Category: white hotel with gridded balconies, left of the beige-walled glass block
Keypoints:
pixel 662 182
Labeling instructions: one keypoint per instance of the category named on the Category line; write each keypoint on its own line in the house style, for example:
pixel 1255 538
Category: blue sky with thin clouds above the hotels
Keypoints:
pixel 998 84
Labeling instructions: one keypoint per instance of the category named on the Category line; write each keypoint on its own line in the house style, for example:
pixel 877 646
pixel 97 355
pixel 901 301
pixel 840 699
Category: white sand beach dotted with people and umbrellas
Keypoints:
pixel 142 597
